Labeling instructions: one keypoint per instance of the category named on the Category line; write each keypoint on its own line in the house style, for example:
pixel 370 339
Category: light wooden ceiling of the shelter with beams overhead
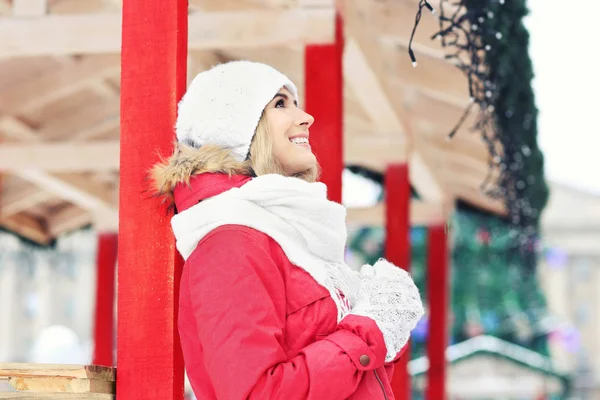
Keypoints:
pixel 60 83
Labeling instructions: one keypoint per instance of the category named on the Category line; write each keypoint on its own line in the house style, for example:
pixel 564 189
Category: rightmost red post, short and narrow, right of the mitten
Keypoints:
pixel 438 293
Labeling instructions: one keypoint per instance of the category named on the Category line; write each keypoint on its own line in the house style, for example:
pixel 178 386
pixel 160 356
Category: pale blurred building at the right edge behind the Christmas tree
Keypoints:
pixel 570 276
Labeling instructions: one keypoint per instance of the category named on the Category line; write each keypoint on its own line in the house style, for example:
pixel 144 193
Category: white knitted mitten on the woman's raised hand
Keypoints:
pixel 388 295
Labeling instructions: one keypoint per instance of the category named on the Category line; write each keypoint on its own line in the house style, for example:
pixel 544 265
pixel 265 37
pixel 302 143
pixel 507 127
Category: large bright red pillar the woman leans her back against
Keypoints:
pixel 153 79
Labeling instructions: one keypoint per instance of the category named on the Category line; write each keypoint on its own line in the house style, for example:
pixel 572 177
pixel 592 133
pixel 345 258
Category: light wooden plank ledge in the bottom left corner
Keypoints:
pixel 58 382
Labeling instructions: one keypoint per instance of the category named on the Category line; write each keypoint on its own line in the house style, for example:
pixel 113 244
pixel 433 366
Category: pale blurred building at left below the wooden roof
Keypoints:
pixel 42 288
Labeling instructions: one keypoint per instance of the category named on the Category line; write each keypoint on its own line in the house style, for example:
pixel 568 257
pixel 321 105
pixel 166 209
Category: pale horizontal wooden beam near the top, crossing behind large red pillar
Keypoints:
pixel 101 33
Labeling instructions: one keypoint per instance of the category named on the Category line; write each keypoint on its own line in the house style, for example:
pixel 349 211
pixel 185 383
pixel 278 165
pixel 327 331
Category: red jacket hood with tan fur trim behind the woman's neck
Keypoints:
pixel 191 175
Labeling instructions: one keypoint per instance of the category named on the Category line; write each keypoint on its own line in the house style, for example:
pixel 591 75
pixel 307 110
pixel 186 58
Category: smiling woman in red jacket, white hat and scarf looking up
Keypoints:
pixel 268 308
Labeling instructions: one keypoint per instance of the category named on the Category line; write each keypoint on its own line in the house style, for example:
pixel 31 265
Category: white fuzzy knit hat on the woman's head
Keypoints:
pixel 223 105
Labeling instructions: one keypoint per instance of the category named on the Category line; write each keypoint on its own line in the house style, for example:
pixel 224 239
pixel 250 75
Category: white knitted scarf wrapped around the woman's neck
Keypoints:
pixel 310 229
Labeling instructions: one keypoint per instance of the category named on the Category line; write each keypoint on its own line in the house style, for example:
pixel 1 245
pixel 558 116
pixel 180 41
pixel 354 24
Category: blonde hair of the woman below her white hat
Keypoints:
pixel 261 157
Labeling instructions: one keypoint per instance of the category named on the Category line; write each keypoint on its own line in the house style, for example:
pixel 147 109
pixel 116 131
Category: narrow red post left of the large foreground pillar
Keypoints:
pixel 106 260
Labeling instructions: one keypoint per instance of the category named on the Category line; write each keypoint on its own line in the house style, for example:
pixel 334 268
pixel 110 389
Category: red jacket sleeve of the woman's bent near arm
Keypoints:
pixel 238 300
